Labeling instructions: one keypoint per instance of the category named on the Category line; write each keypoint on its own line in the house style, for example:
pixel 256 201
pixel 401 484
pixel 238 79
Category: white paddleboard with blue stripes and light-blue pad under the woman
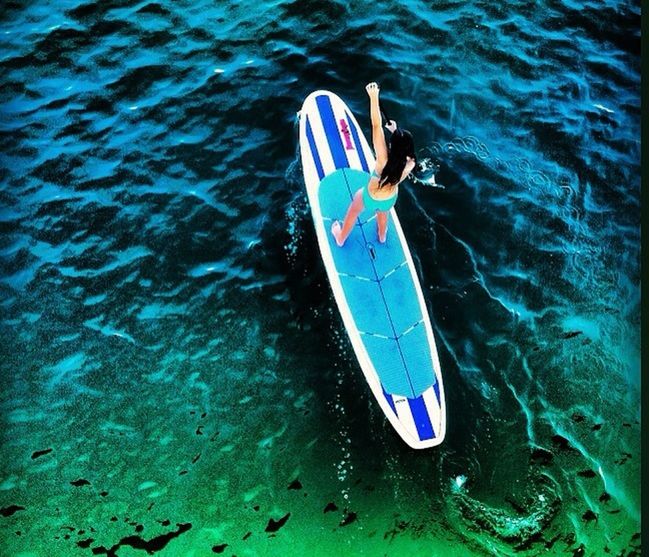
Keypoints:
pixel 375 285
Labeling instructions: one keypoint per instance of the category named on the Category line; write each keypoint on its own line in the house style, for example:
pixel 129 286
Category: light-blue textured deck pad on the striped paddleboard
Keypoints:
pixel 380 292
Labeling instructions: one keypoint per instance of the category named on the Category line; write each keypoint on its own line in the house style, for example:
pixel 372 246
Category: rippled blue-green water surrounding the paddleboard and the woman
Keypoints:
pixel 175 377
